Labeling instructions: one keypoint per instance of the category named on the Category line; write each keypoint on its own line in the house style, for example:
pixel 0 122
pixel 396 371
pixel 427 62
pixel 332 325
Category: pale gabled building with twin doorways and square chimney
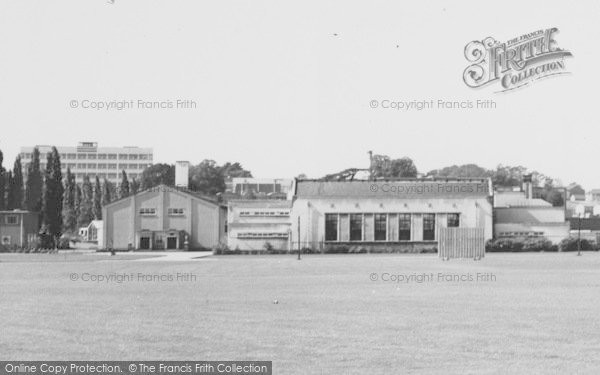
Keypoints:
pixel 165 218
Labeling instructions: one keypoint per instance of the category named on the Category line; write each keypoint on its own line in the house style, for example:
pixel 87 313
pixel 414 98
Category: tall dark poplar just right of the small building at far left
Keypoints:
pixel 52 198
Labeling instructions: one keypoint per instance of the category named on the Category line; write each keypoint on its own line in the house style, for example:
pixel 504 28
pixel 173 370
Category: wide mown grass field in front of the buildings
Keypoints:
pixel 540 315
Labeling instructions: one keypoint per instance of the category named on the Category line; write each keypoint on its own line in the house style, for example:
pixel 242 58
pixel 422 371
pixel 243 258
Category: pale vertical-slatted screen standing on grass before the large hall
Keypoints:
pixel 461 243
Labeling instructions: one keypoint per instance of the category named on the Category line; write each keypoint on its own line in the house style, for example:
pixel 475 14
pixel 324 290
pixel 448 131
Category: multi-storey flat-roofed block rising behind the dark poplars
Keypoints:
pixel 89 159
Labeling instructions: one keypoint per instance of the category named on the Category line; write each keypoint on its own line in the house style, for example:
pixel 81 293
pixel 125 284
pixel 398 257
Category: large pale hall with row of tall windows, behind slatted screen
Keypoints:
pixel 397 215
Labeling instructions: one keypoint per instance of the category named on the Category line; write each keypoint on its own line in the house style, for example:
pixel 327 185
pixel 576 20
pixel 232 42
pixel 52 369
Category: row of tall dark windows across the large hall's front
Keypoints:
pixel 381 226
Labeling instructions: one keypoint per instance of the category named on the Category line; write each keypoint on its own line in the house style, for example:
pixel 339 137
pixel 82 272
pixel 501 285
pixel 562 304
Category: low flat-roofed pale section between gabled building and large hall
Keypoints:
pixel 259 224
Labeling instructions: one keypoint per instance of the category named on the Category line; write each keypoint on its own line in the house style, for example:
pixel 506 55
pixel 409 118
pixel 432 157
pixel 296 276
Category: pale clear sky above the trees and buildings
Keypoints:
pixel 286 87
